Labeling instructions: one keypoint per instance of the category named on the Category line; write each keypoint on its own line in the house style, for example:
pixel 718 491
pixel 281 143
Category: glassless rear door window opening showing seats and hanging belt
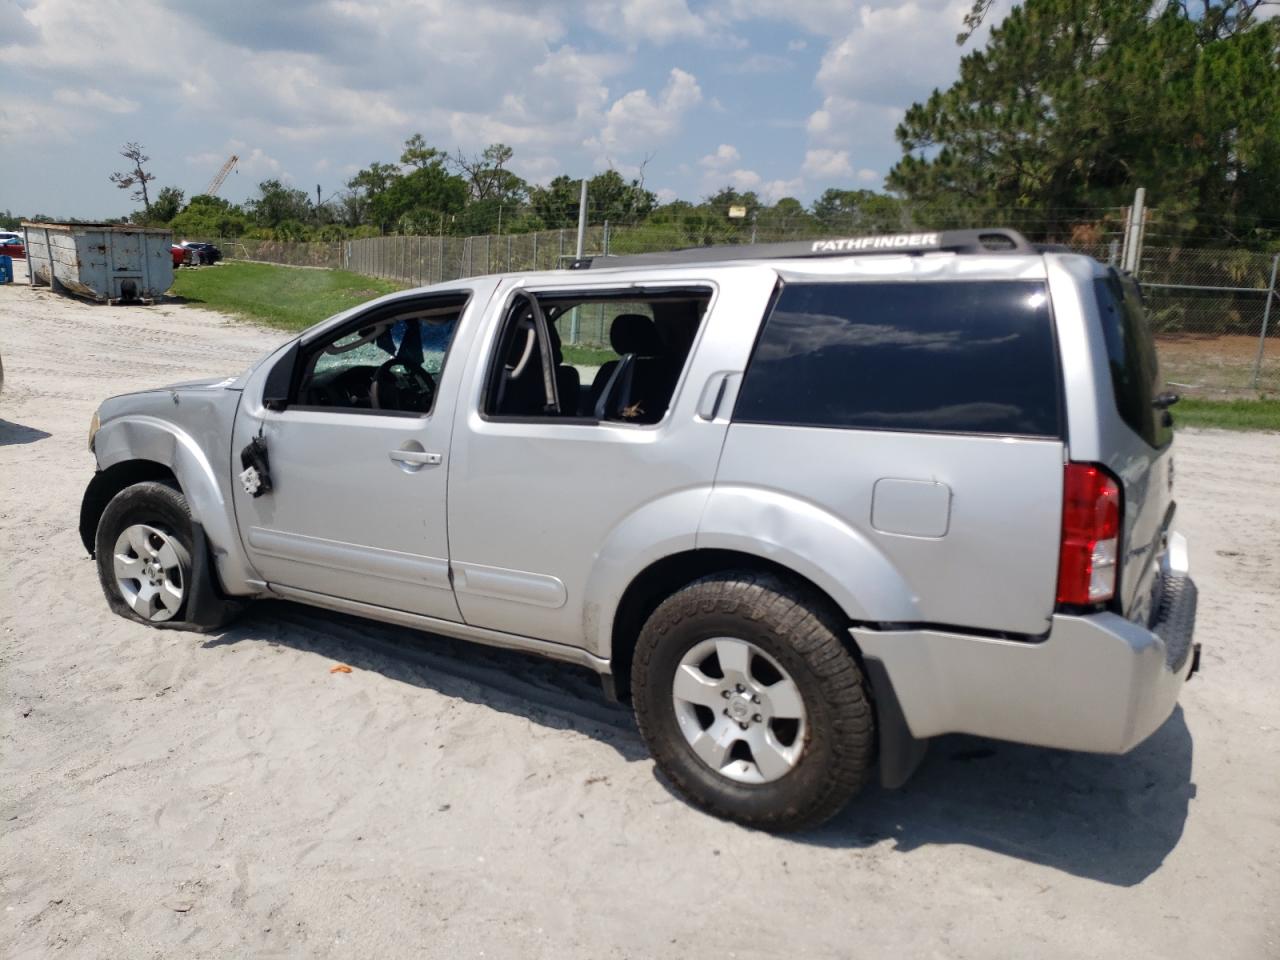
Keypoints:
pixel 651 341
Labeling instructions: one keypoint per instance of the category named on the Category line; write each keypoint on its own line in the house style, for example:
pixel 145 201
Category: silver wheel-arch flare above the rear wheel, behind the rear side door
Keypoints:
pixel 816 545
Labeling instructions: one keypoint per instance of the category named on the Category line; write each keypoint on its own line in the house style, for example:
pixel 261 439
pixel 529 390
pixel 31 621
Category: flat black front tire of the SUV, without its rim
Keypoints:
pixel 156 505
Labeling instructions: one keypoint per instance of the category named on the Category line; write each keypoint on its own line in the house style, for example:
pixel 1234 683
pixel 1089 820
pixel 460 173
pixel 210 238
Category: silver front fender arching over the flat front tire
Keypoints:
pixel 149 438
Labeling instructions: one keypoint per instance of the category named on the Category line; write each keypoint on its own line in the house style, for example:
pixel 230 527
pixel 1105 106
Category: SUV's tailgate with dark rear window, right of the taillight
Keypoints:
pixel 1139 440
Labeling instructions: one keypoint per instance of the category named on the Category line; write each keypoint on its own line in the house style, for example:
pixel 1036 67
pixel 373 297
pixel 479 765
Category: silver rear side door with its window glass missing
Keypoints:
pixel 541 501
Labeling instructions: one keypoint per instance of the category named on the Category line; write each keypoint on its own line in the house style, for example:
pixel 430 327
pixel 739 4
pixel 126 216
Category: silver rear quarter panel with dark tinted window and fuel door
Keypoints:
pixel 925 415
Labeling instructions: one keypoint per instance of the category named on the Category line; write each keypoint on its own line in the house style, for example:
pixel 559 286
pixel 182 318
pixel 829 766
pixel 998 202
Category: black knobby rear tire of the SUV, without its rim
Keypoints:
pixel 799 630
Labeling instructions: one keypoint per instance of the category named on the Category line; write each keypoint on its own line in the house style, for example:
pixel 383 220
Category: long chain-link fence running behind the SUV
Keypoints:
pixel 1217 313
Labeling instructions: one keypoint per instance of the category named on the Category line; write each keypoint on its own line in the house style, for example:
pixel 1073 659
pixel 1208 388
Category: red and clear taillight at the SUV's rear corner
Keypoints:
pixel 1091 536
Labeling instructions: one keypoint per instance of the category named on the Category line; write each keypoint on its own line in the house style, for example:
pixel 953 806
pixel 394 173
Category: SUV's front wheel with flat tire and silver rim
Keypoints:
pixel 144 554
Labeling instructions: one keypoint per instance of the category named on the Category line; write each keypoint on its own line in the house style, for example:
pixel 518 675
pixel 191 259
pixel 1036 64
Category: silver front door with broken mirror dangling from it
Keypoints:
pixel 358 461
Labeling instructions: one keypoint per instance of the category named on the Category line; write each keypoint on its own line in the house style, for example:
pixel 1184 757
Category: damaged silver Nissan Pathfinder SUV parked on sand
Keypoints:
pixel 820 504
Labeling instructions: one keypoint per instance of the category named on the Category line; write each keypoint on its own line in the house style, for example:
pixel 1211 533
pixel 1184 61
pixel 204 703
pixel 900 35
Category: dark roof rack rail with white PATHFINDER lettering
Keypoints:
pixel 998 240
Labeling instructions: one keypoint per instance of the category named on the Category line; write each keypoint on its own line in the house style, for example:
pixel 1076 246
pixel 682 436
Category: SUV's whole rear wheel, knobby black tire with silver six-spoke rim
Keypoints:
pixel 751 703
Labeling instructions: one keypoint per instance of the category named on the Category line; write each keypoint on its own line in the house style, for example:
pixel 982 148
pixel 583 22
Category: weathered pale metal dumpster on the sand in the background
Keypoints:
pixel 111 263
